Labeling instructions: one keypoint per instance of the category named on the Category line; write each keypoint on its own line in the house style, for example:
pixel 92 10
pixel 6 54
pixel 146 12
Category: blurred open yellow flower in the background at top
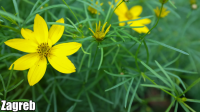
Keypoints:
pixel 125 14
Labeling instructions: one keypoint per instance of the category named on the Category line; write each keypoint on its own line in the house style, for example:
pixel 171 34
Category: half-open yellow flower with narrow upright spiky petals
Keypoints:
pixel 99 35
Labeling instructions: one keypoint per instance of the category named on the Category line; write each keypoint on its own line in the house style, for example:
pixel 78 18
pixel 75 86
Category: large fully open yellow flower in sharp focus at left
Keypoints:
pixel 38 44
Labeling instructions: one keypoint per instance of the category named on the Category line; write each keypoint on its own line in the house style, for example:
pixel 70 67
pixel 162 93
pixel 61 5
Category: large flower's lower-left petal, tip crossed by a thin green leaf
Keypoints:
pixel 25 62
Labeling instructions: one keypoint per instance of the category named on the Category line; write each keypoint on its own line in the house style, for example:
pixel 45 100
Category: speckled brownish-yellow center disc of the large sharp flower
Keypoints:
pixel 43 49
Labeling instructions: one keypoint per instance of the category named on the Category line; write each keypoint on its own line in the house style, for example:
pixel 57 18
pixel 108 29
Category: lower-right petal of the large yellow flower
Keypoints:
pixel 61 64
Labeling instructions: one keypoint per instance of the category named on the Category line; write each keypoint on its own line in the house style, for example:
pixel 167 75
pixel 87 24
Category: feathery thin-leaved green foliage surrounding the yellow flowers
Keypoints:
pixel 126 72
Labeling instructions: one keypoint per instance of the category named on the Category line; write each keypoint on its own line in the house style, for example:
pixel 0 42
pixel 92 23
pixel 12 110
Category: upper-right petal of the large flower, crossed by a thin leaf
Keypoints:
pixel 56 31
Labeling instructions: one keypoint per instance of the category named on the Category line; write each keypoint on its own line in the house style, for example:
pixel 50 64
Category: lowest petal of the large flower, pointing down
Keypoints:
pixel 37 71
